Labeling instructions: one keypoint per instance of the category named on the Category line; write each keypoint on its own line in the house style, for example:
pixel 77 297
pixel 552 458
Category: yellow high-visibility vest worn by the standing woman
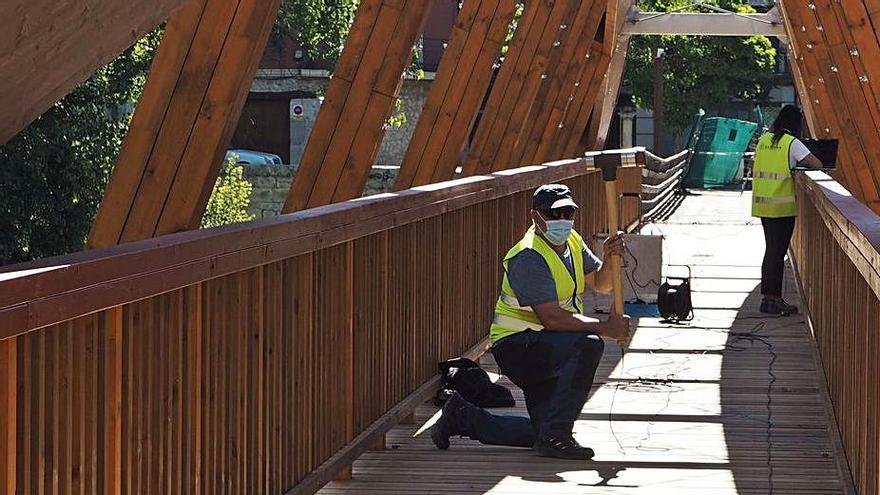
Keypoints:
pixel 773 193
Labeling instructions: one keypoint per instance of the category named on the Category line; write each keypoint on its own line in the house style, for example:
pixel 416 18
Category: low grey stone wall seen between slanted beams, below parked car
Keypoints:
pixel 272 182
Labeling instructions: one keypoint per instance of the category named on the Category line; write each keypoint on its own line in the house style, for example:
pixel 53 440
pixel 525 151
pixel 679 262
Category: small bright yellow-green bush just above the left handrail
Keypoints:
pixel 230 198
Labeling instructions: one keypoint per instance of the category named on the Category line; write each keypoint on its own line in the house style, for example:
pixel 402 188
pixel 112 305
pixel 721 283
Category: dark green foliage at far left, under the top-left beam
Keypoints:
pixel 53 173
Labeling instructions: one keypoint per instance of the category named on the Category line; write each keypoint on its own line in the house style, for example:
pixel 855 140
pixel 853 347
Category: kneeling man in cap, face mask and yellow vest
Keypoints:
pixel 540 338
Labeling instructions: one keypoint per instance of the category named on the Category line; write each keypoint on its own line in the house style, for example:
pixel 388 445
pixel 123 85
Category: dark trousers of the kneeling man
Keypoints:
pixel 555 370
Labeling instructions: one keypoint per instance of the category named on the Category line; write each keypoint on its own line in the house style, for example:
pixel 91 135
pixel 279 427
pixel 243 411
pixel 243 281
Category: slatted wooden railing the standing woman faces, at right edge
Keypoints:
pixel 836 246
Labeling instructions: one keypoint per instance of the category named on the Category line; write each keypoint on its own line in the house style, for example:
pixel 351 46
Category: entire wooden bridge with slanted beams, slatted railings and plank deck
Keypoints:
pixel 281 355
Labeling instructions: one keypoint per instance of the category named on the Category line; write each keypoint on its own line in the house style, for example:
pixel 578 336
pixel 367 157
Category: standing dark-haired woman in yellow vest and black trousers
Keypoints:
pixel 774 200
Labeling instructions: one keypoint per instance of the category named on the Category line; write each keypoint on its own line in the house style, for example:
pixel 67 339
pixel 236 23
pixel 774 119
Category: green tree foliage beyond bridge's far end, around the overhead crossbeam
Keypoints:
pixel 701 72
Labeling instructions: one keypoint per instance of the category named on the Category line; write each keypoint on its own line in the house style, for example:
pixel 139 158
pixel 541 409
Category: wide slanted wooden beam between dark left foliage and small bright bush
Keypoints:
pixel 197 86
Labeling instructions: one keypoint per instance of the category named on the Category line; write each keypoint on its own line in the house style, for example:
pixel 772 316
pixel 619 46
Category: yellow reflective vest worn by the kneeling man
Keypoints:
pixel 510 316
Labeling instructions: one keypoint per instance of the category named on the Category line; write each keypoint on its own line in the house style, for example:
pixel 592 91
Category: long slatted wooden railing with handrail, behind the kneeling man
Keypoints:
pixel 259 357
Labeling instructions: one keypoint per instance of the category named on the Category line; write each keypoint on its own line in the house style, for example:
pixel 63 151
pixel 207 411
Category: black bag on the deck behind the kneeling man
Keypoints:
pixel 473 383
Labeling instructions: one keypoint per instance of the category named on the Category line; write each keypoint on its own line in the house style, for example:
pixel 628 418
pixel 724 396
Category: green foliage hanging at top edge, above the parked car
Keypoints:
pixel 320 26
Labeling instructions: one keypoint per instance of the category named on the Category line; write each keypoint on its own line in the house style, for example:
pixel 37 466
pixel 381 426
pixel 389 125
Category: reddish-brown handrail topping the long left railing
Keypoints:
pixel 38 294
